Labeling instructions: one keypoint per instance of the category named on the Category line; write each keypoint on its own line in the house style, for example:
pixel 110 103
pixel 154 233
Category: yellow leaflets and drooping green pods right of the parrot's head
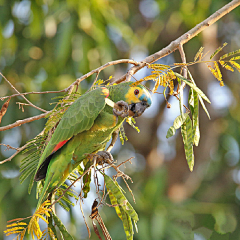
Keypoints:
pixel 163 75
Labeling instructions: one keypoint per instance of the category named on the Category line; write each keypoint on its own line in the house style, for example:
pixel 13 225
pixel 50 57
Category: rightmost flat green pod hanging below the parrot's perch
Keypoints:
pixel 122 200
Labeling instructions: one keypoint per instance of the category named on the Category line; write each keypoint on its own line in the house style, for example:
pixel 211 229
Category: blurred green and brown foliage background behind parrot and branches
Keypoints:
pixel 46 44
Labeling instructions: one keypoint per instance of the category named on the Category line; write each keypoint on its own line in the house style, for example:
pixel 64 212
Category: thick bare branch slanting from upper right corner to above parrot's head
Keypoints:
pixel 174 45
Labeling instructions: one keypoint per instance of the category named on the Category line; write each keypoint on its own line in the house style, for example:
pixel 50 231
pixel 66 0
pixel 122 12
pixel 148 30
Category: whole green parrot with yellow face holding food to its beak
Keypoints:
pixel 85 128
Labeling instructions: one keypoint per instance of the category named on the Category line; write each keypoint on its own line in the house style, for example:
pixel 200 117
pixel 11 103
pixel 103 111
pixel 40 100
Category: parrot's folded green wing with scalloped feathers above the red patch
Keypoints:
pixel 79 117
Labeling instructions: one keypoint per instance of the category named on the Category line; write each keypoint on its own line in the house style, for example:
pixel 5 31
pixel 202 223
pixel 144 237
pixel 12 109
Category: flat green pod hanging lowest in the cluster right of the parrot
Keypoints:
pixel 187 135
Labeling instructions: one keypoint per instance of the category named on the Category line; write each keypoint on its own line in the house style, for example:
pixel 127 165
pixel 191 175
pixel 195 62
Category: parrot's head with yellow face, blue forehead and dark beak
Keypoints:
pixel 137 97
